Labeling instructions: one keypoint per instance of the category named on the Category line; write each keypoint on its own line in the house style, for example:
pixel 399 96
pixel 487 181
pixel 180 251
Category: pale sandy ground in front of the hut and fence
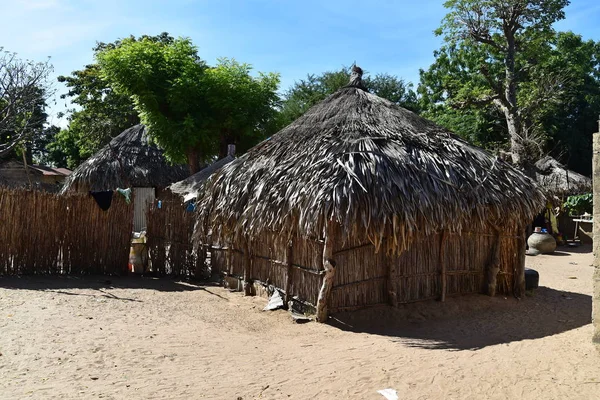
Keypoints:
pixel 133 338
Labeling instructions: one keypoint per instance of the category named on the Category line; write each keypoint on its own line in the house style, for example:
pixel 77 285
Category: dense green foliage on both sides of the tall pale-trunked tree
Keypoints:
pixel 563 122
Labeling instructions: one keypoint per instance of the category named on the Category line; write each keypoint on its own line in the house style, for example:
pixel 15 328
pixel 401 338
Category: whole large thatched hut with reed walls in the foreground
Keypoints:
pixel 362 202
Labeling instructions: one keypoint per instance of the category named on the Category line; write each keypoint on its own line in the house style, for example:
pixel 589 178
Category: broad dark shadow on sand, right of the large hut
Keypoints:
pixel 473 322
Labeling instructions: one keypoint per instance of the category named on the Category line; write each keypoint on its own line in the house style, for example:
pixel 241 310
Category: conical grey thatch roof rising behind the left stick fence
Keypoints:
pixel 129 160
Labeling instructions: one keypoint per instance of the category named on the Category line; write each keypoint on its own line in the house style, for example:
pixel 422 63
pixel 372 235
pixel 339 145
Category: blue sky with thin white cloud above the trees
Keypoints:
pixel 292 38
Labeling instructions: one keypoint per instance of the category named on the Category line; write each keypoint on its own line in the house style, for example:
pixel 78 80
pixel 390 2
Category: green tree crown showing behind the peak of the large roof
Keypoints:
pixel 315 88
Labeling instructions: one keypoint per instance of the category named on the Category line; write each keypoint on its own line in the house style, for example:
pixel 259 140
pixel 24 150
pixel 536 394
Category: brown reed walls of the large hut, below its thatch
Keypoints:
pixel 435 265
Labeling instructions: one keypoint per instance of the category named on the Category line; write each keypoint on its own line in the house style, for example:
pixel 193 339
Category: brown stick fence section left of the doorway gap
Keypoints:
pixel 43 233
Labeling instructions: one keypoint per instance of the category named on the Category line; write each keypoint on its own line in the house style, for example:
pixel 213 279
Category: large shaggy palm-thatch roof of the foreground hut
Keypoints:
pixel 377 169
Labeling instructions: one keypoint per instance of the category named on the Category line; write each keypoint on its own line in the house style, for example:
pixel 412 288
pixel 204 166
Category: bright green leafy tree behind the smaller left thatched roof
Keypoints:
pixel 189 107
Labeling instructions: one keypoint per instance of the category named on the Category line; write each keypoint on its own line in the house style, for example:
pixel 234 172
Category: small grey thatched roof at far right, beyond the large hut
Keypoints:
pixel 557 181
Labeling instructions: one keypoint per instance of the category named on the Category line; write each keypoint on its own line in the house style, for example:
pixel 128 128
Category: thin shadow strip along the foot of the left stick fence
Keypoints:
pixel 102 283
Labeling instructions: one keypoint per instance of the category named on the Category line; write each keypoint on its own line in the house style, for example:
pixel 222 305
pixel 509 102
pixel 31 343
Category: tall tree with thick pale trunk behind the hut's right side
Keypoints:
pixel 502 38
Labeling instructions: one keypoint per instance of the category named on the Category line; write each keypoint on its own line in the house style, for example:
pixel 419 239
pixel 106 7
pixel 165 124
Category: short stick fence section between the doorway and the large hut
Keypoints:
pixel 169 233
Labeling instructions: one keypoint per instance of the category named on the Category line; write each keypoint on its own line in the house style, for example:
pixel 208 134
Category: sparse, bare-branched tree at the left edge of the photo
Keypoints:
pixel 24 89
